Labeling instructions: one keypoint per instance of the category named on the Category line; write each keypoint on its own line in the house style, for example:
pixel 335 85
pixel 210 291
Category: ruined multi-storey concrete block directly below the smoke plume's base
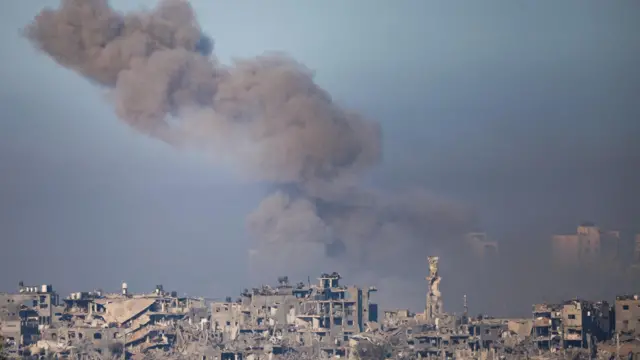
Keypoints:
pixel 327 313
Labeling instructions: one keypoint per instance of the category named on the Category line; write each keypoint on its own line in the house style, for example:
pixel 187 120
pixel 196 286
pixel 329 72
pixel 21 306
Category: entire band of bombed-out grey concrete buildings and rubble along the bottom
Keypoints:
pixel 296 321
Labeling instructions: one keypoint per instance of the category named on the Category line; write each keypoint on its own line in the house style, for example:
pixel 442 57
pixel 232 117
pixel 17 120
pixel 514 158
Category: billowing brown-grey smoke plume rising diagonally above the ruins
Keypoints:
pixel 268 117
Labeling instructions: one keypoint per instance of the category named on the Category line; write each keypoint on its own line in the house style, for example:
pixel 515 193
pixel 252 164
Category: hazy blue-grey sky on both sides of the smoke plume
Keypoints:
pixel 525 110
